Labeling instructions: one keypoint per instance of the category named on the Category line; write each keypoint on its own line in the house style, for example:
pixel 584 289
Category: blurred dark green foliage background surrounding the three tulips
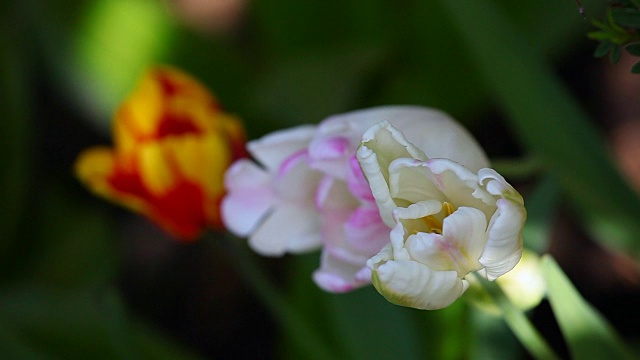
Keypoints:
pixel 81 278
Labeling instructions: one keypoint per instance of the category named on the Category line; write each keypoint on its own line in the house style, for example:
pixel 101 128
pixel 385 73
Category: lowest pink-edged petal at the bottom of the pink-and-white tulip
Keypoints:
pixel 338 276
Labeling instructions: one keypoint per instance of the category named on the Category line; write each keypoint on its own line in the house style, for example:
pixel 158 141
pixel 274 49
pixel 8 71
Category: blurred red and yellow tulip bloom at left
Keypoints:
pixel 172 145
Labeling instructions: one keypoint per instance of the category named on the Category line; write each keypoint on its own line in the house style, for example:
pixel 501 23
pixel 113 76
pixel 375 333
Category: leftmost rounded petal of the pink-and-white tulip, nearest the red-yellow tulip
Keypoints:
pixel 249 197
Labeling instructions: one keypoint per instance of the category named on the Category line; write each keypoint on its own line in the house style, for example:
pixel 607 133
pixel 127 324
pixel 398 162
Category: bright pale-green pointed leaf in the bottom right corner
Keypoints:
pixel 588 334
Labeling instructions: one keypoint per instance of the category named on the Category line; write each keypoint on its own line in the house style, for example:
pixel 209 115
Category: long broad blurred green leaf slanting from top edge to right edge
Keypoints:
pixel 550 123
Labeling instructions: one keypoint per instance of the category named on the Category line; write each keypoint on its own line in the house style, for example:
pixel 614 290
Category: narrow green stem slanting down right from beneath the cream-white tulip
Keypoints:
pixel 518 322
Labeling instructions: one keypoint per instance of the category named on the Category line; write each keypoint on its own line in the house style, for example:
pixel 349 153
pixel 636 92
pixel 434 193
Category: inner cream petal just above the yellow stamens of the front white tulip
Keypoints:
pixel 412 181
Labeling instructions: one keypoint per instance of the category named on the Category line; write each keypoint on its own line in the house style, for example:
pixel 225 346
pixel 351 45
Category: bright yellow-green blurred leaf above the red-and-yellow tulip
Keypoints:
pixel 116 42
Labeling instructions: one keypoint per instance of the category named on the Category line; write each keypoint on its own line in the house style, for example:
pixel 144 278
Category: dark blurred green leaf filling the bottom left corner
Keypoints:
pixel 39 321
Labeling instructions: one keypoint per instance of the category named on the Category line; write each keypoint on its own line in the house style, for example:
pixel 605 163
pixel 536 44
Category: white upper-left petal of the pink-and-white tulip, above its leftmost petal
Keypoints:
pixel 272 149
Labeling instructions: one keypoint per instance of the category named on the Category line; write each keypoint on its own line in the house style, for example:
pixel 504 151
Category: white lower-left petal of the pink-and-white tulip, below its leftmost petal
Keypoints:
pixel 289 228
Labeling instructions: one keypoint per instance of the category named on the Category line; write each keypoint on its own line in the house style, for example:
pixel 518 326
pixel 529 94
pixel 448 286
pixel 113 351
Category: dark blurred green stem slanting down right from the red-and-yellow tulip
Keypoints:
pixel 283 312
